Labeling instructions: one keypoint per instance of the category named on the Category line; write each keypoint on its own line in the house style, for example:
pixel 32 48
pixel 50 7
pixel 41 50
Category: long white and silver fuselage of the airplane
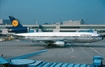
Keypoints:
pixel 80 37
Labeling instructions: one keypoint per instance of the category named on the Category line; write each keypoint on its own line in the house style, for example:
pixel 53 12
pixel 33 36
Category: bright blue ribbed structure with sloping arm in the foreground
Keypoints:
pixel 20 61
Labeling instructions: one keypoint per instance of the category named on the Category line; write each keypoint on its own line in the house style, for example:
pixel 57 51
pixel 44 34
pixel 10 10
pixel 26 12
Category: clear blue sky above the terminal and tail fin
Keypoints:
pixel 50 11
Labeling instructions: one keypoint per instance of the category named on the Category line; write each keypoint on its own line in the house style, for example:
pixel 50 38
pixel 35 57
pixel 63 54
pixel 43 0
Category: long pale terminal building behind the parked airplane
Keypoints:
pixel 65 26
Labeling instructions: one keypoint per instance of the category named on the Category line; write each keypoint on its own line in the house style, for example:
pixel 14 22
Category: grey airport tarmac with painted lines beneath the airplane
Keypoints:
pixel 73 53
